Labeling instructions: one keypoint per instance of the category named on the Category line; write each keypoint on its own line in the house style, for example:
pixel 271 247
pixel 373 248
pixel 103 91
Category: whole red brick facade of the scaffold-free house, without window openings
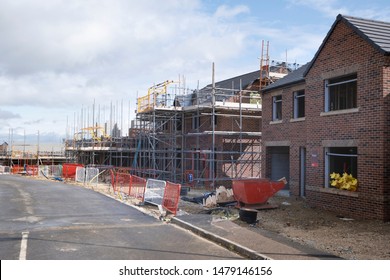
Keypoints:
pixel 344 52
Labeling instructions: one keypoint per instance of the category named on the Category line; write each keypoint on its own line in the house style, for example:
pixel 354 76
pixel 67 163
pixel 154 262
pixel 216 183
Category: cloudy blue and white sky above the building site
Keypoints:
pixel 66 62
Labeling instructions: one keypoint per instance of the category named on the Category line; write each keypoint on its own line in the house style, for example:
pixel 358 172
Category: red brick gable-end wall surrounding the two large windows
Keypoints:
pixel 346 52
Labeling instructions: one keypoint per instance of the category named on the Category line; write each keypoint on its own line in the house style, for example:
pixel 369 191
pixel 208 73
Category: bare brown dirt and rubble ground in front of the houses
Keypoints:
pixel 293 218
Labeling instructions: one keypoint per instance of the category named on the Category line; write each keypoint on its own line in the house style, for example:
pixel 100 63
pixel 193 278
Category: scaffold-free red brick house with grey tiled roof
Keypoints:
pixel 333 115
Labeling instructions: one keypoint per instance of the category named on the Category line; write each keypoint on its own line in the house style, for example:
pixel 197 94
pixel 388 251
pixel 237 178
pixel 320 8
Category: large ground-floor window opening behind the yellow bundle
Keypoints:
pixel 340 160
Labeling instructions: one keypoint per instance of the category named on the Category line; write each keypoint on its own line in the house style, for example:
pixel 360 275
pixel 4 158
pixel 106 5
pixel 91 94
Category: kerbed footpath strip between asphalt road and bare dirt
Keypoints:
pixel 253 244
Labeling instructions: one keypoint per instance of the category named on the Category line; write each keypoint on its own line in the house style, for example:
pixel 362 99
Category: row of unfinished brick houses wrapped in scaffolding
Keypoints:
pixel 203 137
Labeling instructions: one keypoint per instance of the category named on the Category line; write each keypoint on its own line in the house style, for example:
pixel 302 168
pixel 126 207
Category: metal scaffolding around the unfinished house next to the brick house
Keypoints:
pixel 204 138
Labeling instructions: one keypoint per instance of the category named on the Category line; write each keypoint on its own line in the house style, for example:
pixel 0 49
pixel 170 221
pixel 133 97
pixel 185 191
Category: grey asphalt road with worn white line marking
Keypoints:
pixel 54 221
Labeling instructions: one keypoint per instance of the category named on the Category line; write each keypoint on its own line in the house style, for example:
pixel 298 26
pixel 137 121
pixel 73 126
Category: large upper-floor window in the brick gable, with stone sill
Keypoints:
pixel 341 93
